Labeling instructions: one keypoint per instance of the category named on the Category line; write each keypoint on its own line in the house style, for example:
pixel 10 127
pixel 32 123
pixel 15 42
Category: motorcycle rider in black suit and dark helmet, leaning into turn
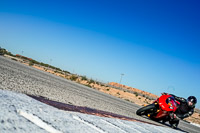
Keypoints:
pixel 185 109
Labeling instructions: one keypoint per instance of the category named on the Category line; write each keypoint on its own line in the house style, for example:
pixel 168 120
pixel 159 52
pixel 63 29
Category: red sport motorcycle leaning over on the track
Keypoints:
pixel 161 109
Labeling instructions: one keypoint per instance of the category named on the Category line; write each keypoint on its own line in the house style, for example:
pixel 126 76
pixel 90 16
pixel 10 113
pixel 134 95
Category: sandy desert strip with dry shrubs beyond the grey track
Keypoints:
pixel 121 91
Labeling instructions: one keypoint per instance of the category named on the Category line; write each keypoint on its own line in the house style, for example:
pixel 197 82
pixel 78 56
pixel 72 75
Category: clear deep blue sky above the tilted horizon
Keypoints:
pixel 154 43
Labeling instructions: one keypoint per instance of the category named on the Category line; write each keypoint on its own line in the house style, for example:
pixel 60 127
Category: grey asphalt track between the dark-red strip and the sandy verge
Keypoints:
pixel 21 78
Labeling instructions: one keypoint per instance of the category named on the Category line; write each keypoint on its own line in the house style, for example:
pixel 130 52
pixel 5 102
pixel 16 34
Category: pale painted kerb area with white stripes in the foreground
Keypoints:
pixel 22 114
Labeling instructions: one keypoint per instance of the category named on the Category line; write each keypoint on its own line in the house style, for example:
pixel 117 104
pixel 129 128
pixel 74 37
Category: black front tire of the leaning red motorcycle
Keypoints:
pixel 147 109
